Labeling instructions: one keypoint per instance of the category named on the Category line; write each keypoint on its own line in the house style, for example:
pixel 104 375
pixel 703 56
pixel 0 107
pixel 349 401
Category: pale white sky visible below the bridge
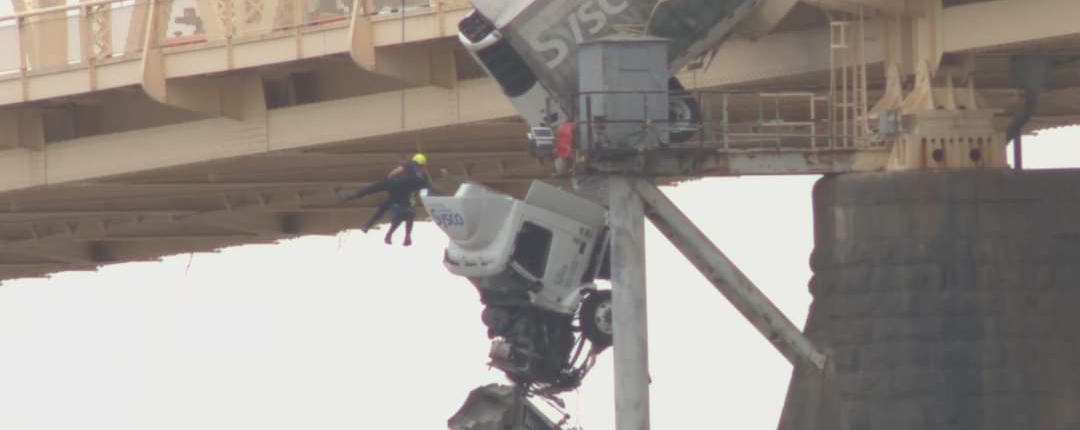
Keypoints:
pixel 347 333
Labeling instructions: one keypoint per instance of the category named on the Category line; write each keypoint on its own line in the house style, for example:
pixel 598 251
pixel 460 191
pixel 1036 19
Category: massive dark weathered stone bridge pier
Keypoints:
pixel 944 301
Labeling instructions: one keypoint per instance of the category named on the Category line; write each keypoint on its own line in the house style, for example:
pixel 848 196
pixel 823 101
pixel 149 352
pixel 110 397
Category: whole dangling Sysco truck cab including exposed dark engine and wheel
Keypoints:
pixel 534 263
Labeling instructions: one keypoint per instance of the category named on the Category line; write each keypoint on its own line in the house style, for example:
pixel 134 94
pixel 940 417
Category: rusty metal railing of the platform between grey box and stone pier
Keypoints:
pixel 722 120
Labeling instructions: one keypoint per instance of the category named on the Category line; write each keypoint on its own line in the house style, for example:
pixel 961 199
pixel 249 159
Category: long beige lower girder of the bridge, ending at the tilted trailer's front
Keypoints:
pixel 287 129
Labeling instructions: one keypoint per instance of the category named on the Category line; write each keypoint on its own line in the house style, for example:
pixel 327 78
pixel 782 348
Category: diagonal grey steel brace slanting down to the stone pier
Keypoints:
pixel 727 278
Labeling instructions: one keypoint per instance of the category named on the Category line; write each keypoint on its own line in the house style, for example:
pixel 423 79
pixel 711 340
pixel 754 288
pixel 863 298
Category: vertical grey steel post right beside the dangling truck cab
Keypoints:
pixel 628 300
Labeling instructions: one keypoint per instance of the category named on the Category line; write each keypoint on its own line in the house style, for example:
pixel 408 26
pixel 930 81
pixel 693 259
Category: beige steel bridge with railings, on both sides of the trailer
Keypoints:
pixel 133 130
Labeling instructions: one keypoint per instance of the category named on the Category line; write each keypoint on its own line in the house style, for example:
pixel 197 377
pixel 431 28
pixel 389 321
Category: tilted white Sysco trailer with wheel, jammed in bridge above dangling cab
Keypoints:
pixel 530 47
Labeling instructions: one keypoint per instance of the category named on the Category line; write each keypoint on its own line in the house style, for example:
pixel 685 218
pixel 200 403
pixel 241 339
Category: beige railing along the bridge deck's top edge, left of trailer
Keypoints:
pixel 99 32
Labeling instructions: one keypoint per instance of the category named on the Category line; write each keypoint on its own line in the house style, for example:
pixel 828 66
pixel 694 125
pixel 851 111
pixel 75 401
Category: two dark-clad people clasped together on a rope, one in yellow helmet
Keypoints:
pixel 400 185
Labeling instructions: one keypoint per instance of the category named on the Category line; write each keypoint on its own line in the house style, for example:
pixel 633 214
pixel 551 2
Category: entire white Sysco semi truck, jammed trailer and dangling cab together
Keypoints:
pixel 535 261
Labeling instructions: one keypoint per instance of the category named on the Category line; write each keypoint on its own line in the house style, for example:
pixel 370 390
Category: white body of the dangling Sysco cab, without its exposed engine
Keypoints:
pixel 547 247
